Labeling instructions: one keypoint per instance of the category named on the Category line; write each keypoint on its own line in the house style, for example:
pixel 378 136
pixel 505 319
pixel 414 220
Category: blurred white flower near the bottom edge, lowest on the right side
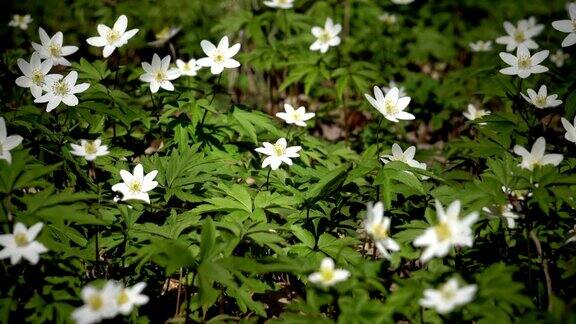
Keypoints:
pixel 449 296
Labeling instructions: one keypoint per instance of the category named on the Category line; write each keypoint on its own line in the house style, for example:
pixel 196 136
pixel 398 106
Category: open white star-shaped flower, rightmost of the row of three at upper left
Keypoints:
pixel 220 57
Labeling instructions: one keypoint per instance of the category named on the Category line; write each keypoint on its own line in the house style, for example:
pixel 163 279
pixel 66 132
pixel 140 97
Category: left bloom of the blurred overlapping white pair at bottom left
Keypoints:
pixel 98 304
